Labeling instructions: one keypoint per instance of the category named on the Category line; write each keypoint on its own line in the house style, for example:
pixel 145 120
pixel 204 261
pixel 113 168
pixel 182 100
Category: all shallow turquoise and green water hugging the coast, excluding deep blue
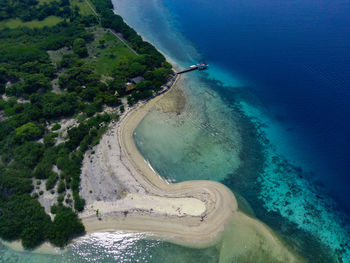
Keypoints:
pixel 225 134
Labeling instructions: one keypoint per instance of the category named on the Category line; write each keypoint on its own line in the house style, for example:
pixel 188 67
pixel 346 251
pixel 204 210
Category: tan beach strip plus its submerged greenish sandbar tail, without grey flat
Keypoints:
pixel 198 228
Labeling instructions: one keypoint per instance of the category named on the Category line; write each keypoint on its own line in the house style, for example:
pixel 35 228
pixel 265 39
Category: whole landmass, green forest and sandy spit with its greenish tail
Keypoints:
pixel 76 81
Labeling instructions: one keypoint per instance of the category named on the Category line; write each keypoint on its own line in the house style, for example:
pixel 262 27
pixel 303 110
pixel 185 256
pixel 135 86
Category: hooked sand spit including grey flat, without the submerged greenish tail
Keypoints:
pixel 138 199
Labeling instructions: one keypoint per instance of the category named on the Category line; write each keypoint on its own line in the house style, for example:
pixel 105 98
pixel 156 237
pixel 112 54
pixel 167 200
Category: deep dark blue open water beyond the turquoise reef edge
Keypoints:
pixel 295 57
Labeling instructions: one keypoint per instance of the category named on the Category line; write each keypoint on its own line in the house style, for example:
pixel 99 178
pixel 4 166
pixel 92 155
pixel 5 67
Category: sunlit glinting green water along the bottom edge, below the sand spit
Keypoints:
pixel 115 247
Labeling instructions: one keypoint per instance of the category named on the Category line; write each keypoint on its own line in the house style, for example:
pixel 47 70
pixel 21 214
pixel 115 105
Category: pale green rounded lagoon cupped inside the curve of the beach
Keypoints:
pixel 201 143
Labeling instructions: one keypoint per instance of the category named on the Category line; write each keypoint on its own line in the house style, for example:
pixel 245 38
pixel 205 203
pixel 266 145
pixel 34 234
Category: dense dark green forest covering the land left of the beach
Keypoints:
pixel 72 70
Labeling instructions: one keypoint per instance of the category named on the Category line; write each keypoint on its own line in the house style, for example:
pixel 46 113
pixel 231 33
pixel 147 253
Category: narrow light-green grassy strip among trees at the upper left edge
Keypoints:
pixel 13 23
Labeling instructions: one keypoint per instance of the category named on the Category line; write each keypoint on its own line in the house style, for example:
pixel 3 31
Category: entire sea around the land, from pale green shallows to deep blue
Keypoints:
pixel 269 119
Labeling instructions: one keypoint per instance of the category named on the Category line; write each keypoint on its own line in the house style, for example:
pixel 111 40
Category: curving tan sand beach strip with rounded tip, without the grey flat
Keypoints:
pixel 191 213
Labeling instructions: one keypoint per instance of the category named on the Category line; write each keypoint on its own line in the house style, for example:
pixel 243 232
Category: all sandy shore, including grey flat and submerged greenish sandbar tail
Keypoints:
pixel 149 204
